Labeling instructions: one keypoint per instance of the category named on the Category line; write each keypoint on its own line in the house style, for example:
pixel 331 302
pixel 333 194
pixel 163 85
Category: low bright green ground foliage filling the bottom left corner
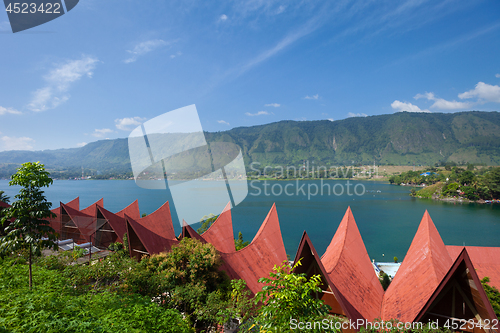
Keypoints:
pixel 55 306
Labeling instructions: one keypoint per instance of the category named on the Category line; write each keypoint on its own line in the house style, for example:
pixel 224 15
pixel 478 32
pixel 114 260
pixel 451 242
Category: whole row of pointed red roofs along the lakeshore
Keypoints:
pixel 350 284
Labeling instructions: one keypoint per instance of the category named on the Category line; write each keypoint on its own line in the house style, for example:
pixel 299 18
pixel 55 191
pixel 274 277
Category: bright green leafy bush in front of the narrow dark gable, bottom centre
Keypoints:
pixel 286 296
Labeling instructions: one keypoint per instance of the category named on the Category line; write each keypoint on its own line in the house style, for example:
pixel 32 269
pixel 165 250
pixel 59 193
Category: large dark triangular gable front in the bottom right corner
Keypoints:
pixel 459 295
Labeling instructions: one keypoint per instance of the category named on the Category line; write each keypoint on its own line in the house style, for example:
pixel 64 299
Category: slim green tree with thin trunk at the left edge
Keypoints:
pixel 29 228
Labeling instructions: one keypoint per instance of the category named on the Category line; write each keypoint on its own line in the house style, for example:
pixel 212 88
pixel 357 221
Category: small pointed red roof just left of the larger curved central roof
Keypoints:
pixel 220 234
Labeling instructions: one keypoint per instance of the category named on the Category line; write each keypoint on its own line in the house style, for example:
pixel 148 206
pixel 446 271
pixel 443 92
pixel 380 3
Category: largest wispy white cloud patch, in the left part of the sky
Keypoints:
pixel 59 81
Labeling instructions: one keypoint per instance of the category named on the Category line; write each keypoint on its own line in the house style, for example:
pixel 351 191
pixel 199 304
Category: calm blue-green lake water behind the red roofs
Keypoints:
pixel 387 219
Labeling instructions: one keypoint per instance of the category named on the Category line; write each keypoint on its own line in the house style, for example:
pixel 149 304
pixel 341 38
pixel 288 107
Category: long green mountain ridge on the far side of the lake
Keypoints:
pixel 400 139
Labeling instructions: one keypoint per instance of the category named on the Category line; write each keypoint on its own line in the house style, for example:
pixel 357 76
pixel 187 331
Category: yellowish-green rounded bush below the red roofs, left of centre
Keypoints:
pixel 188 279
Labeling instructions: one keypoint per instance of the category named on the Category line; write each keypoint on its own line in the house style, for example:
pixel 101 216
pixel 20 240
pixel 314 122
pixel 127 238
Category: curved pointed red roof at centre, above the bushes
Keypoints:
pixel 258 258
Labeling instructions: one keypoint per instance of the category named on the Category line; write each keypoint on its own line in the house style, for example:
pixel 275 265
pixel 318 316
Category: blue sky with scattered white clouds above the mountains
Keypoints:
pixel 108 65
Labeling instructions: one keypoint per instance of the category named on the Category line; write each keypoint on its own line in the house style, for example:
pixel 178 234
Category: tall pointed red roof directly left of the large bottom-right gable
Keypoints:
pixel 422 270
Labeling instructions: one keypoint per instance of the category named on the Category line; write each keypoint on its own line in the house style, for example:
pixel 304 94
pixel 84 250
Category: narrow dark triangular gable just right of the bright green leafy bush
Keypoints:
pixel 311 265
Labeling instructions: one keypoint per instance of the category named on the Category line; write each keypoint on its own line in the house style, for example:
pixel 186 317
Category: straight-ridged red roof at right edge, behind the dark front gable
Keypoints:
pixel 486 261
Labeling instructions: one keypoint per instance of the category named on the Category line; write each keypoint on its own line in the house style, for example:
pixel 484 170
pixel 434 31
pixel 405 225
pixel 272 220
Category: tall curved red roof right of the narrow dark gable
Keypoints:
pixel 349 267
